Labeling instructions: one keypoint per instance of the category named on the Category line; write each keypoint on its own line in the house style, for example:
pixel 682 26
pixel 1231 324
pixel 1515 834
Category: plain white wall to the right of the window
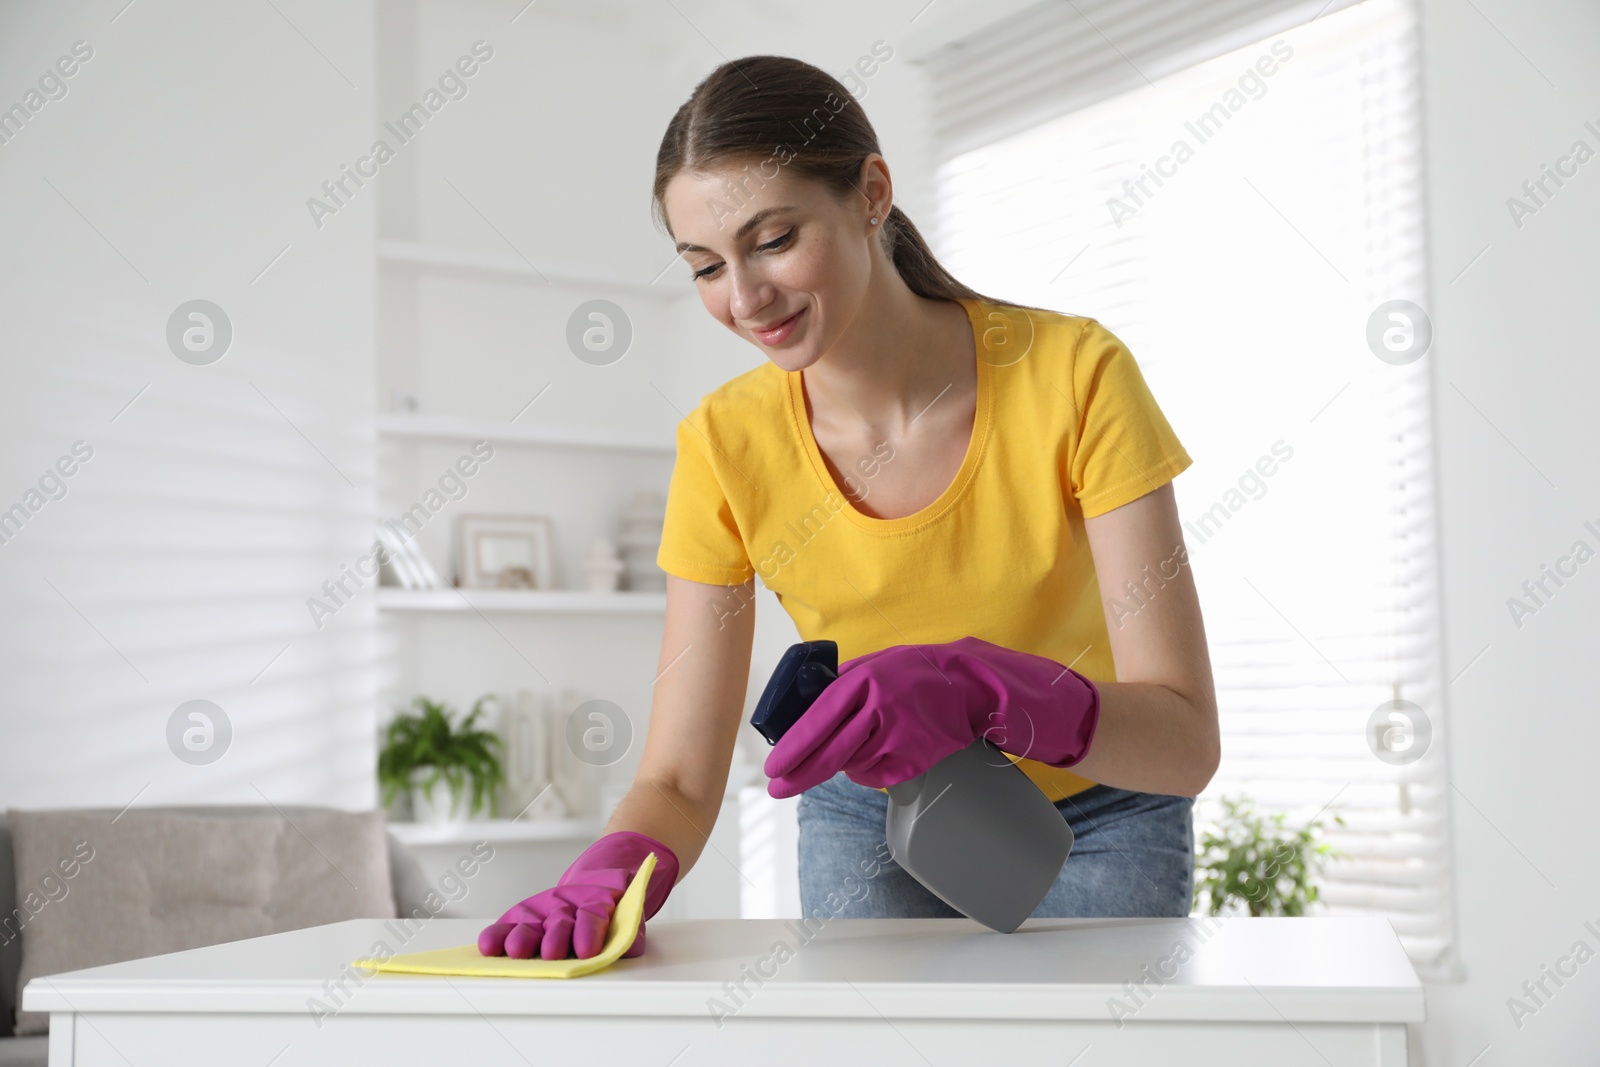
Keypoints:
pixel 1516 385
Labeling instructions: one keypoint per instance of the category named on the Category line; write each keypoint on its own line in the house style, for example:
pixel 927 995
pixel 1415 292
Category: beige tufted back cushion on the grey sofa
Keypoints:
pixel 102 887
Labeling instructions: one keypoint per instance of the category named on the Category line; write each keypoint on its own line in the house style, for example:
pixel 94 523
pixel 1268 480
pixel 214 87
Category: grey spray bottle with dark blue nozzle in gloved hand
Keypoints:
pixel 974 829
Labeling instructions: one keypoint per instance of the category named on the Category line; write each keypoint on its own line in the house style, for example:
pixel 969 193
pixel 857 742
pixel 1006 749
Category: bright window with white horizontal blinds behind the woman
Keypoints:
pixel 1244 282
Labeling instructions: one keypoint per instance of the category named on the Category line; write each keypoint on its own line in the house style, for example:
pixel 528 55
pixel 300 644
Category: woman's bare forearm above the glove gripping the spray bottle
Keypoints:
pixel 1153 740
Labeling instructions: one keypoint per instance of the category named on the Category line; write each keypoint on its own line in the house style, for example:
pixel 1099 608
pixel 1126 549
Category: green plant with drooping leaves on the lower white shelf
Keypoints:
pixel 462 756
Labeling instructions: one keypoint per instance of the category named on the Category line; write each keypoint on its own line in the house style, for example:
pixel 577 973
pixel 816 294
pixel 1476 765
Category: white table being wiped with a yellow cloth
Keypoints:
pixel 884 993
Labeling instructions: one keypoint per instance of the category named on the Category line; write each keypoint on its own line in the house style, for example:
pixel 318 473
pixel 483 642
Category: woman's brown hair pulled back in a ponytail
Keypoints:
pixel 754 110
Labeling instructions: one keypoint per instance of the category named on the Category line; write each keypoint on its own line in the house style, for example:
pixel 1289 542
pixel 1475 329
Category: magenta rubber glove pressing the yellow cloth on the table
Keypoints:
pixel 577 914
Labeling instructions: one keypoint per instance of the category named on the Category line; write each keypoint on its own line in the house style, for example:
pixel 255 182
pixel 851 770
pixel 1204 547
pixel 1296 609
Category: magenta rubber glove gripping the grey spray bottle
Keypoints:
pixel 894 714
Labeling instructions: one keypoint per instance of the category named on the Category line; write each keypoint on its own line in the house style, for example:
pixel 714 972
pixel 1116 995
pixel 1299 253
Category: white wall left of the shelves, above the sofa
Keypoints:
pixel 178 565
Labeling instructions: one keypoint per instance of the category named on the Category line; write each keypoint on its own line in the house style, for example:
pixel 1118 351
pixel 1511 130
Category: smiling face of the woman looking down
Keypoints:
pixel 778 260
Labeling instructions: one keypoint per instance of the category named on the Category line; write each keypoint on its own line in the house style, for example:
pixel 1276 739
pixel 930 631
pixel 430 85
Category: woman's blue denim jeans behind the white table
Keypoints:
pixel 1134 857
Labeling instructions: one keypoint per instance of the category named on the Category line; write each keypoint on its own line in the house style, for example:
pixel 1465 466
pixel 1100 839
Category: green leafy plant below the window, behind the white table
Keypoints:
pixel 1255 861
